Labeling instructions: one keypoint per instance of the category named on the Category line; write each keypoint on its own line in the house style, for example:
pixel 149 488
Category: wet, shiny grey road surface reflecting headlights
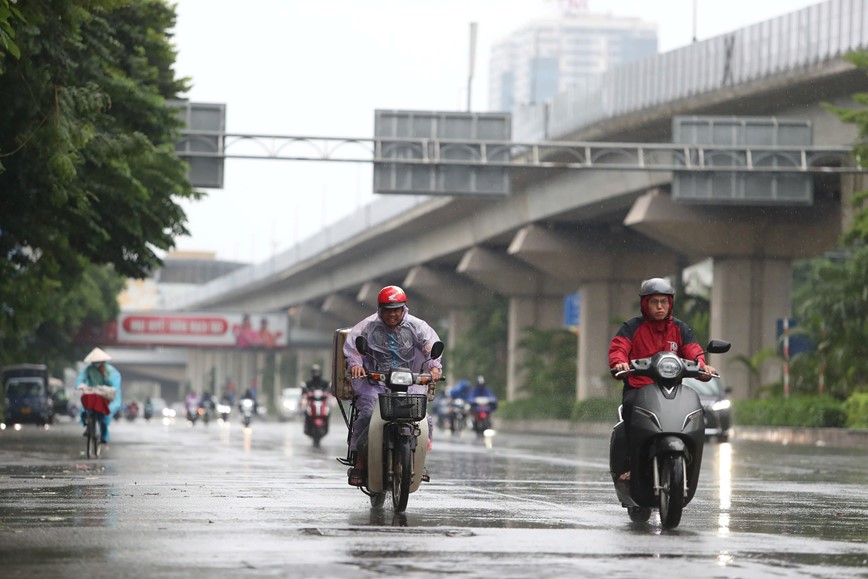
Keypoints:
pixel 221 501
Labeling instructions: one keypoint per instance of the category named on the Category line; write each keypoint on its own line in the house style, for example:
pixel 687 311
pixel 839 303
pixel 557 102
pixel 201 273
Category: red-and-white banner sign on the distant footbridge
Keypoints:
pixel 207 329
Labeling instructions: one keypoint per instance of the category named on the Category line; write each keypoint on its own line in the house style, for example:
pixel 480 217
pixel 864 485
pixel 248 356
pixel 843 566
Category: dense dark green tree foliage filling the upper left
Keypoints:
pixel 89 176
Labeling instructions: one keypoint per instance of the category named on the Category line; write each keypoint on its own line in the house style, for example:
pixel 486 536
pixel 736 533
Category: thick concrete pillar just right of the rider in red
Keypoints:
pixel 748 297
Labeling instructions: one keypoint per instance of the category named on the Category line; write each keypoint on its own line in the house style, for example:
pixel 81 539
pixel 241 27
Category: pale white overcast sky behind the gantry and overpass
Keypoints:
pixel 321 68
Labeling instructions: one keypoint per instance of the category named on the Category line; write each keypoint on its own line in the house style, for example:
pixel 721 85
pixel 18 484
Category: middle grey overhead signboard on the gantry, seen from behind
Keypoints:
pixel 442 153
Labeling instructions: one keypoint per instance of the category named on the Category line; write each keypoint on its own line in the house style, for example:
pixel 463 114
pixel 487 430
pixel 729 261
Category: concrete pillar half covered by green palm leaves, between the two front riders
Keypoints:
pixel 527 312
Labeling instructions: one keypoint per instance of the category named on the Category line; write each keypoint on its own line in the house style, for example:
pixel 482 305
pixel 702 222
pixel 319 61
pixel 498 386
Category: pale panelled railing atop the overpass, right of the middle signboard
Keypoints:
pixel 794 41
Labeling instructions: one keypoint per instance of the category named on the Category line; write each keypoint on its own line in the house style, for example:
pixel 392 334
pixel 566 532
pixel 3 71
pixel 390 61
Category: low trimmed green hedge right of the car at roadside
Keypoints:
pixel 809 411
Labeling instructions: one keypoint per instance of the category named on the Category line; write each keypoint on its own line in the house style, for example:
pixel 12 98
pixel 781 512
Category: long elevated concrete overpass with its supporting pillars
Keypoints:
pixel 600 232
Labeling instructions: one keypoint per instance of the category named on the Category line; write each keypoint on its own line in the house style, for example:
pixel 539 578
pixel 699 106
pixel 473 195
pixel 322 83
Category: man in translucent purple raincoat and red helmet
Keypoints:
pixel 395 339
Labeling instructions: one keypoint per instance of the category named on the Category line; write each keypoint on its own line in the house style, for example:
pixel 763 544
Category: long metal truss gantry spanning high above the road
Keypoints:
pixel 540 155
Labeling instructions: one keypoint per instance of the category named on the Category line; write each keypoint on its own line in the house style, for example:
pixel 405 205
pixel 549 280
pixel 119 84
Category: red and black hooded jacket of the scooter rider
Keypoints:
pixel 642 337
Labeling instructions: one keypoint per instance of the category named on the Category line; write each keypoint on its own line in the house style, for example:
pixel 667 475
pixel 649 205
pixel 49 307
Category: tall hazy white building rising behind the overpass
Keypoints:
pixel 553 55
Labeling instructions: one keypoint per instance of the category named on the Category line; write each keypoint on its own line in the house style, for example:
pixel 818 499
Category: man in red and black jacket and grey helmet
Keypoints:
pixel 656 330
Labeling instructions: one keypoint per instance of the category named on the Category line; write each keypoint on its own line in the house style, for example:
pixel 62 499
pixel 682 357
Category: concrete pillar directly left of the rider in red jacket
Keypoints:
pixel 605 305
